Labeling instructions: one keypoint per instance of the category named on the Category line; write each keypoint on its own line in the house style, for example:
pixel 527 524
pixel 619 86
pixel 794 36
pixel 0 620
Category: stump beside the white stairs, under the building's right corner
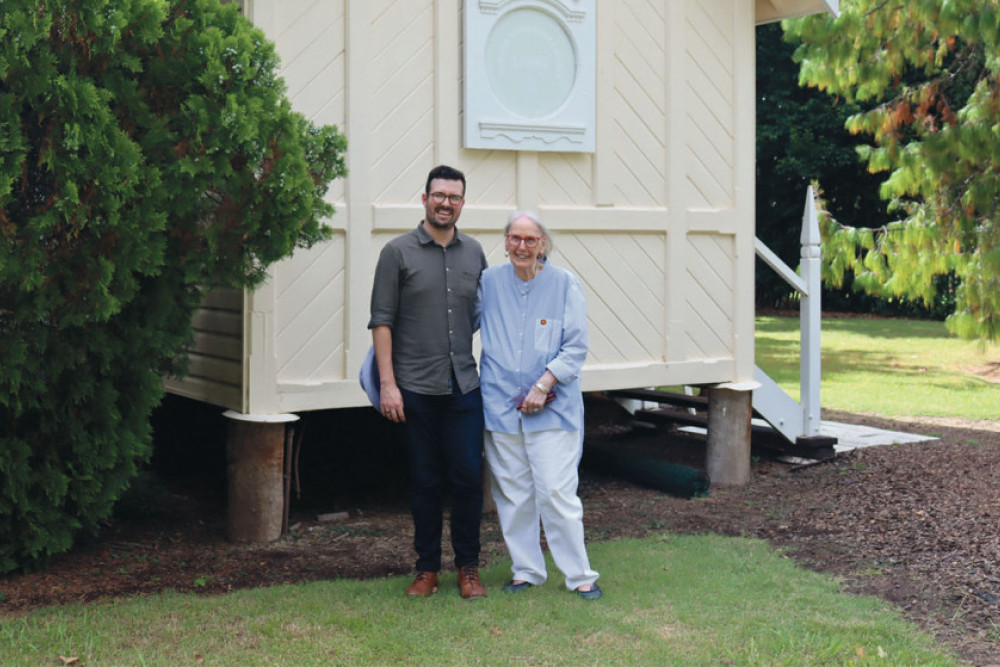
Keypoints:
pixel 728 457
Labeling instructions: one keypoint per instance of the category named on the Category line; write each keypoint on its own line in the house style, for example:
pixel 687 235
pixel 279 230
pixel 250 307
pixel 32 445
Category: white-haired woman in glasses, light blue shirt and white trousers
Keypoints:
pixel 534 338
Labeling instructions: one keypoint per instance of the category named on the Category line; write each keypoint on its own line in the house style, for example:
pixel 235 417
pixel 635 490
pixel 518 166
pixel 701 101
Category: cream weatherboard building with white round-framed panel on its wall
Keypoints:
pixel 627 124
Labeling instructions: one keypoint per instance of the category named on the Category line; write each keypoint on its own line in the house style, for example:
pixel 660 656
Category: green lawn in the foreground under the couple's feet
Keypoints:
pixel 669 601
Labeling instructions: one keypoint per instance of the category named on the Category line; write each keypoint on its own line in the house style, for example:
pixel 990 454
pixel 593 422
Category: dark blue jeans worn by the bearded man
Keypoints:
pixel 444 442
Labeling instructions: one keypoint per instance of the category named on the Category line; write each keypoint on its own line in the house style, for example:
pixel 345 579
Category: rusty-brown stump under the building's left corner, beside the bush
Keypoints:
pixel 255 454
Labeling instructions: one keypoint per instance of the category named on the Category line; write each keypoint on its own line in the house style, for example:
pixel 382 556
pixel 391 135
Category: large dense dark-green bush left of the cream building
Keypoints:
pixel 147 151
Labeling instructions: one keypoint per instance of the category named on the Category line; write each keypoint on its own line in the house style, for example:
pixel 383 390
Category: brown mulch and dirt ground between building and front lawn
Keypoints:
pixel 914 524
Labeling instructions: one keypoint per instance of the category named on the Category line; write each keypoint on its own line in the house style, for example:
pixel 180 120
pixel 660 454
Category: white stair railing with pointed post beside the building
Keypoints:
pixel 797 419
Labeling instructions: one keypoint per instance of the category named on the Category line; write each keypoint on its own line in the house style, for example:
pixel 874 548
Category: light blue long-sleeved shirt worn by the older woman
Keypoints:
pixel 522 335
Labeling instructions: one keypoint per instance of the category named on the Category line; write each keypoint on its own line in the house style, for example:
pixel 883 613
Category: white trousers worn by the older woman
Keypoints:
pixel 534 477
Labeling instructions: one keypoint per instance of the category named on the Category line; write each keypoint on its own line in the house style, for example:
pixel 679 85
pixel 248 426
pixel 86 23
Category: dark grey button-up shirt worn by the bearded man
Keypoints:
pixel 427 295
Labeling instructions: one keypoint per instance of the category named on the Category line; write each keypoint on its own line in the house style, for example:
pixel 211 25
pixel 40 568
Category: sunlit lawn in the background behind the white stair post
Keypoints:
pixel 890 367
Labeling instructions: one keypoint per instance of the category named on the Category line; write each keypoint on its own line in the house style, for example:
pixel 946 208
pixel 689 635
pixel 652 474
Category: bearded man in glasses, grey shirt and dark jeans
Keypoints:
pixel 422 319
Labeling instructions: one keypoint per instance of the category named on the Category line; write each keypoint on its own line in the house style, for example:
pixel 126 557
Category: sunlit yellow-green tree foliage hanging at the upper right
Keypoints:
pixel 929 71
